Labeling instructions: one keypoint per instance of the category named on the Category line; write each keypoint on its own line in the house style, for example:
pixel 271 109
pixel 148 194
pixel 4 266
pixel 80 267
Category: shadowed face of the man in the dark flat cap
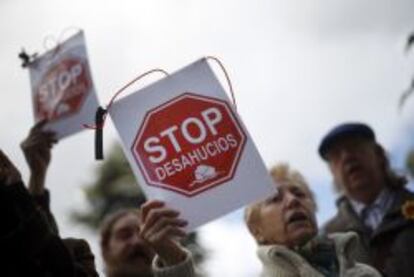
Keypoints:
pixel 357 166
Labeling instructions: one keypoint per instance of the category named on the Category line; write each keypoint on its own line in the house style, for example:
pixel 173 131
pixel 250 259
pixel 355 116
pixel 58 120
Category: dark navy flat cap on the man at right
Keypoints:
pixel 344 130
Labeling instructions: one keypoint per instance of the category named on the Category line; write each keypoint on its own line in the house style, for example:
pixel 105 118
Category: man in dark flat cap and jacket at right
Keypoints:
pixel 373 202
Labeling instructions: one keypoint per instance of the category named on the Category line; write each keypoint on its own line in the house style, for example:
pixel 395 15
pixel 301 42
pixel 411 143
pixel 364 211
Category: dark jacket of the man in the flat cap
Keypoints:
pixel 389 248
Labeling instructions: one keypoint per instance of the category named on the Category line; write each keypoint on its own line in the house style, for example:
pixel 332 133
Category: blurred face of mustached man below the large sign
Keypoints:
pixel 127 253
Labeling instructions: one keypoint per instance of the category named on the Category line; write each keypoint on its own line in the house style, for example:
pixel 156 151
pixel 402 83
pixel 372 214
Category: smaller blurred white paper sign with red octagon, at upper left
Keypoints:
pixel 62 88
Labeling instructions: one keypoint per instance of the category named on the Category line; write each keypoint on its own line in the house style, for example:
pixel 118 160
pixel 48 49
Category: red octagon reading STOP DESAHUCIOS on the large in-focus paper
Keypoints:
pixel 189 144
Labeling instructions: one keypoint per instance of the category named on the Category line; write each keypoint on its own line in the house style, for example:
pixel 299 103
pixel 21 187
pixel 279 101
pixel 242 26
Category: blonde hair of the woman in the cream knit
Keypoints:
pixel 281 173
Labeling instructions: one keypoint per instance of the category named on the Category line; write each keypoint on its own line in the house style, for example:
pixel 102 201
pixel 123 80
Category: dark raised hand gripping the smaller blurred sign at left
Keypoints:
pixel 37 151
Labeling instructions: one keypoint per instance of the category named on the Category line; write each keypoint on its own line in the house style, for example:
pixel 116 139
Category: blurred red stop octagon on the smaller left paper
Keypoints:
pixel 62 90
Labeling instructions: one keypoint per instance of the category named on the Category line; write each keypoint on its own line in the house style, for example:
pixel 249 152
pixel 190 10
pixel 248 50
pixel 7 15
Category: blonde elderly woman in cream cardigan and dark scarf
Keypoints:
pixel 284 226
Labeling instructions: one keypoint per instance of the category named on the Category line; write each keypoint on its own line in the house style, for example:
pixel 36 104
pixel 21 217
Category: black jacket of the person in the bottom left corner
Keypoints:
pixel 29 246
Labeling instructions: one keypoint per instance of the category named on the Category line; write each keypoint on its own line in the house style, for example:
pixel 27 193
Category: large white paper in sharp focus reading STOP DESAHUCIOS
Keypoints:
pixel 188 147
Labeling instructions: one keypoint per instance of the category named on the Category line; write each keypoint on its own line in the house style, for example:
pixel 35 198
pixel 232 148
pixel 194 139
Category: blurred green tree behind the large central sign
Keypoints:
pixel 115 188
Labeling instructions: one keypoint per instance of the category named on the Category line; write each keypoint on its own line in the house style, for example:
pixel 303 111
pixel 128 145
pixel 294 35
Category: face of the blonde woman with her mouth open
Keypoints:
pixel 287 218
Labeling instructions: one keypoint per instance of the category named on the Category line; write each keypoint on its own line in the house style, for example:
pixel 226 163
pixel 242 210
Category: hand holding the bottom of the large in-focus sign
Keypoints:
pixel 161 227
